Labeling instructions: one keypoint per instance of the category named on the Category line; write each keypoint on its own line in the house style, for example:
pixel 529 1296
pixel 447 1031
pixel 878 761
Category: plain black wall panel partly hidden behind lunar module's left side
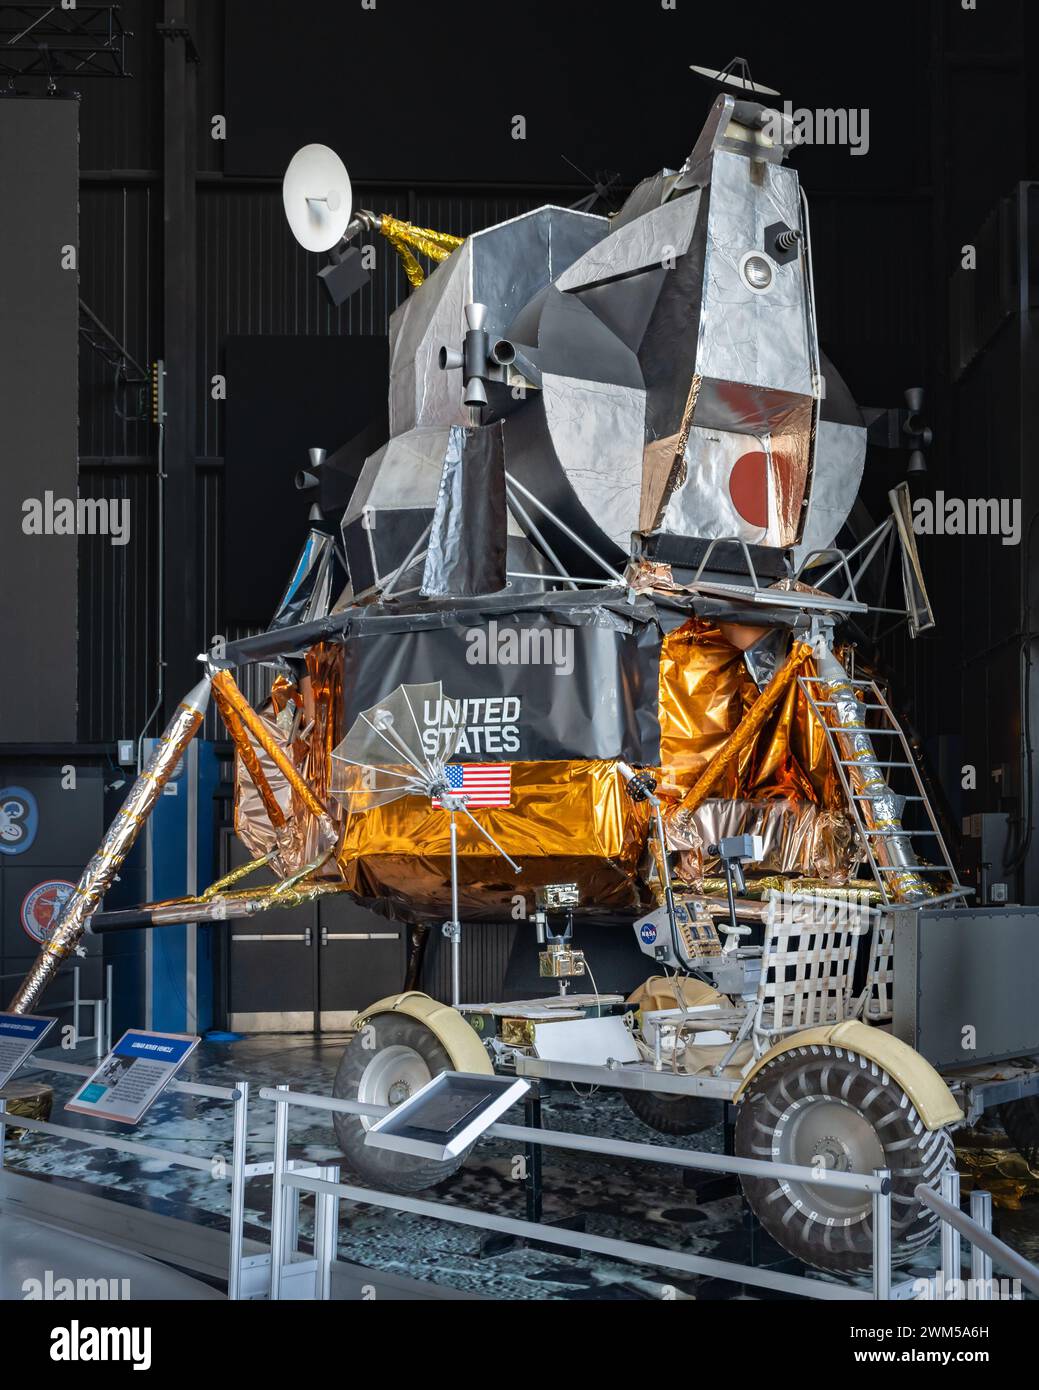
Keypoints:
pixel 286 395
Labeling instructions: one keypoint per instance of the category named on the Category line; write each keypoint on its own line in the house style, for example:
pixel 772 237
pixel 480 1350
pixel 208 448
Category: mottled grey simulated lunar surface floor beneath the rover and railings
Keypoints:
pixel 645 1203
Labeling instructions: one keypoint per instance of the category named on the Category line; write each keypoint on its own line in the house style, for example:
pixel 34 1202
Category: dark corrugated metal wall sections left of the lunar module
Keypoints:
pixel 254 279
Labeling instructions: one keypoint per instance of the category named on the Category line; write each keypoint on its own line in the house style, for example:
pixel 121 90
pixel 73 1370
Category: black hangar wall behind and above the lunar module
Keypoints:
pixel 186 254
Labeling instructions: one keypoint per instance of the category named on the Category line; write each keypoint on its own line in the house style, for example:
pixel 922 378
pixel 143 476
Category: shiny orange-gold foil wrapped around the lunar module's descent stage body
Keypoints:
pixel 760 757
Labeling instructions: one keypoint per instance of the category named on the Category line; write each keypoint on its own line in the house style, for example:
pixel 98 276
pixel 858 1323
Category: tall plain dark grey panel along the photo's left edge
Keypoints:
pixel 40 326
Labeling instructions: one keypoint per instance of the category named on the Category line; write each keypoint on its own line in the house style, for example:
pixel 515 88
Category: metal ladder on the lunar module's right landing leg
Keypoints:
pixel 894 755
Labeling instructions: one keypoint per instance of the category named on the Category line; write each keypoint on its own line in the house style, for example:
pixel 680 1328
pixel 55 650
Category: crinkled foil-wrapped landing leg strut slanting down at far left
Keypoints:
pixel 119 840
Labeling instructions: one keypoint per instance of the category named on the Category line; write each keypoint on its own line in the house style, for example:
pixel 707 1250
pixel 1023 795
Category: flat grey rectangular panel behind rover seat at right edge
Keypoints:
pixel 966 985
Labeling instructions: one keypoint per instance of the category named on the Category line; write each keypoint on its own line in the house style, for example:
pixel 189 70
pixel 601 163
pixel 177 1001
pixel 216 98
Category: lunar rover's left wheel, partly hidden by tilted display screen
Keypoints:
pixel 387 1063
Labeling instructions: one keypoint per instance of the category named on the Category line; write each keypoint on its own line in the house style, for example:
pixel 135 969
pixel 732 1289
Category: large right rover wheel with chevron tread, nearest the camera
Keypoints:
pixel 828 1106
